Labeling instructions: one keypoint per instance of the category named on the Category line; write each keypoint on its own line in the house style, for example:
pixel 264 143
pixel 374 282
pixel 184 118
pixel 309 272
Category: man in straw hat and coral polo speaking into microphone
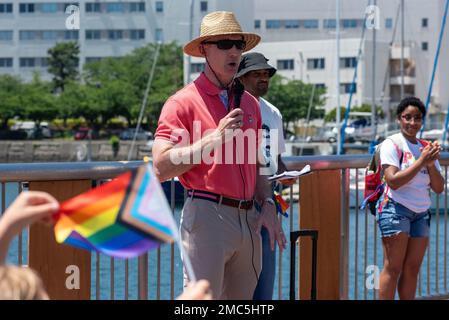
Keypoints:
pixel 219 225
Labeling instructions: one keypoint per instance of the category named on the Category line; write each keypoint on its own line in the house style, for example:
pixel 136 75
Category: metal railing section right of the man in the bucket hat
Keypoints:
pixel 361 237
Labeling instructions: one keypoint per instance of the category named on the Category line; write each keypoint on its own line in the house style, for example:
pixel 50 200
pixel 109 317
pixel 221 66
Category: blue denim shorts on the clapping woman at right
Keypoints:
pixel 395 218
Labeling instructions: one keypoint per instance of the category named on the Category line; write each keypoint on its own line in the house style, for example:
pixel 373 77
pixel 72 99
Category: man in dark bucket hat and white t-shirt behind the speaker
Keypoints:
pixel 255 73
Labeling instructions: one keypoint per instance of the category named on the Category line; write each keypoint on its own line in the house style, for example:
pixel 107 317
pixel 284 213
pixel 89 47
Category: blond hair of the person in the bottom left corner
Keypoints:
pixel 20 283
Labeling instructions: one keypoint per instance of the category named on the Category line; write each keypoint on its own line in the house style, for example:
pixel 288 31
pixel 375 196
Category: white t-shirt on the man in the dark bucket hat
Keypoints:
pixel 272 143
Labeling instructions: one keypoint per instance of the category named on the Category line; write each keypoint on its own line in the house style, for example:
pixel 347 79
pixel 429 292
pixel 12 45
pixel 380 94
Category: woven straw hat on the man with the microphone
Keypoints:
pixel 219 23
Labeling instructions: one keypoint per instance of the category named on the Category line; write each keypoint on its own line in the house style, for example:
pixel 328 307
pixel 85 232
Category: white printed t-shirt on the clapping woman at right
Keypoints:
pixel 415 194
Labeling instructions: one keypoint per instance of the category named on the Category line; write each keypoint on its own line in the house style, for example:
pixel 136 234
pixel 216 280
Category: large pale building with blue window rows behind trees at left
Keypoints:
pixel 28 28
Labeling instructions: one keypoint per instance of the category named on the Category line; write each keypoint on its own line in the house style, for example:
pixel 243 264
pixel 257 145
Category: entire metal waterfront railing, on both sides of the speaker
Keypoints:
pixel 158 274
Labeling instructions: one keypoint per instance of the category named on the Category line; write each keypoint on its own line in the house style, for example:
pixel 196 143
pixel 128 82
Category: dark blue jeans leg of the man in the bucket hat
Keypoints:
pixel 265 286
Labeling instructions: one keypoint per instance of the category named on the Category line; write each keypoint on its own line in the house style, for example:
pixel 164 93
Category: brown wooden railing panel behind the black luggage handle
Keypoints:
pixel 325 217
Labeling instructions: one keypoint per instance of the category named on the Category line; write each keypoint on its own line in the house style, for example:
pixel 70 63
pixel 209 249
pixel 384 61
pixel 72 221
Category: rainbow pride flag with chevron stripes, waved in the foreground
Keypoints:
pixel 123 218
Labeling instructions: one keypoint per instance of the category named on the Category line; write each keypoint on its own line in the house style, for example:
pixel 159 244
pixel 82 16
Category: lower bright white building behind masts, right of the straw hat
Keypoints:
pixel 314 61
